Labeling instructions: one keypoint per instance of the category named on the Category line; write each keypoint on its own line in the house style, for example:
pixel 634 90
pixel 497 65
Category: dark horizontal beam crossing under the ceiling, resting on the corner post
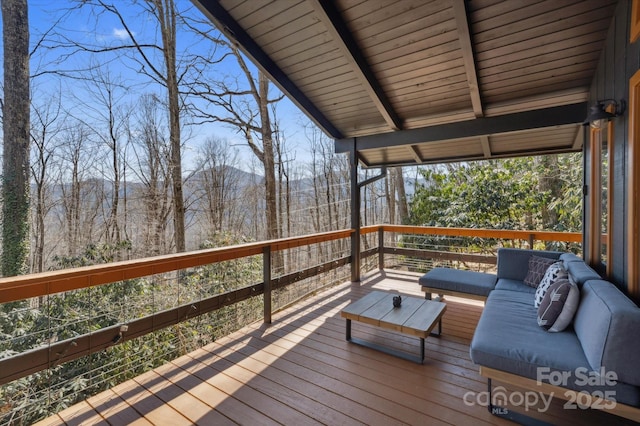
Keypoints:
pixel 526 120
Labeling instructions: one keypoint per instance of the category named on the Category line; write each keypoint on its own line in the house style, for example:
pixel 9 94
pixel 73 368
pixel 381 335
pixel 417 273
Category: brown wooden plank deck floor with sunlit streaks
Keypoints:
pixel 301 371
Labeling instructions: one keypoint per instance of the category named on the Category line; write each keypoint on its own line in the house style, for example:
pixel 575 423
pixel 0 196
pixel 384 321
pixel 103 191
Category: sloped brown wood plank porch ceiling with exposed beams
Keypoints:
pixel 417 82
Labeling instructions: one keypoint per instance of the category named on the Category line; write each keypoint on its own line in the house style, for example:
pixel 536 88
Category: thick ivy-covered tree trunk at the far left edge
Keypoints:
pixel 16 122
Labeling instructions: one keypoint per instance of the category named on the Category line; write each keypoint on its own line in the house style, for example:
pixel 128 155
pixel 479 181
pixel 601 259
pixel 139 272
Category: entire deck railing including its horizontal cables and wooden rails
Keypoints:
pixel 95 326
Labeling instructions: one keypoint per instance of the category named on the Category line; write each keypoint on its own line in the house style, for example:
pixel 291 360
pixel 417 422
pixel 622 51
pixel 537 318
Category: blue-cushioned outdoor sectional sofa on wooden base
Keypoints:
pixel 596 354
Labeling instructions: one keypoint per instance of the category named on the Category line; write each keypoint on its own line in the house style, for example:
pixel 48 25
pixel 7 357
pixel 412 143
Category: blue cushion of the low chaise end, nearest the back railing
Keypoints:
pixel 459 280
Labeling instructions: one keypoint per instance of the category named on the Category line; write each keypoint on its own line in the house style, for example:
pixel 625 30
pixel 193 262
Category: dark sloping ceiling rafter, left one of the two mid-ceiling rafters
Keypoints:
pixel 327 12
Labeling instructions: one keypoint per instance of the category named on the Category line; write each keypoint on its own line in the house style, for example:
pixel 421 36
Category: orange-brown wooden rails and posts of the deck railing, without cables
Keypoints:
pixel 49 283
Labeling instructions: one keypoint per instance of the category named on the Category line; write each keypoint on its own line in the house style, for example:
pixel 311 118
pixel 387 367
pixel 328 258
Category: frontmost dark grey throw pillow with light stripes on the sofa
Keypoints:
pixel 559 306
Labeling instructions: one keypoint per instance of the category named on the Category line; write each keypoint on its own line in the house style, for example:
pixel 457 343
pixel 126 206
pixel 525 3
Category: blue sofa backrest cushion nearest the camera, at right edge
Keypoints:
pixel 607 324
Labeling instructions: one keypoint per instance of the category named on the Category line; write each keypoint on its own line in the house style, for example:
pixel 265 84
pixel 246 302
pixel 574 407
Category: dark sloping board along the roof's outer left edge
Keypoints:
pixel 232 29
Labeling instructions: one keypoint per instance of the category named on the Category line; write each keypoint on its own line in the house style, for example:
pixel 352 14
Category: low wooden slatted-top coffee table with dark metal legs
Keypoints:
pixel 415 317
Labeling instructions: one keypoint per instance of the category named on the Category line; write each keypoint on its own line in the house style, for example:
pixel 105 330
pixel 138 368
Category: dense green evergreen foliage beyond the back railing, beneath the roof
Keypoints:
pixel 528 193
